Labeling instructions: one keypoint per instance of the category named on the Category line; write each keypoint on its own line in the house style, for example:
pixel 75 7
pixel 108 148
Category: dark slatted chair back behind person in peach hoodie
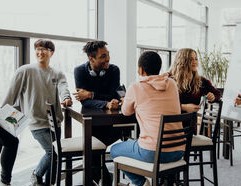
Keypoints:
pixel 177 137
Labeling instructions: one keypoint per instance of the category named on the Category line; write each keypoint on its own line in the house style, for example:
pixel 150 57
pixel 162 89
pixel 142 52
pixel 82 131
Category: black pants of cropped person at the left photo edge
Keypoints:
pixel 9 148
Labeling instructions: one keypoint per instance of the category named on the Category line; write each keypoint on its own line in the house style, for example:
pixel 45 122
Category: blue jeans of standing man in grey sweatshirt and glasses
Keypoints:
pixel 43 136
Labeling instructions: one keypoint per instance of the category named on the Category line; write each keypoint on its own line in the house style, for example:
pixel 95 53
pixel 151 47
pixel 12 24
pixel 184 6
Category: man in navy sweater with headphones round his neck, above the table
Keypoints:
pixel 96 80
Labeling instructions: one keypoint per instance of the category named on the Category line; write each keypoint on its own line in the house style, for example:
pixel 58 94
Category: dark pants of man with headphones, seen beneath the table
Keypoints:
pixel 108 135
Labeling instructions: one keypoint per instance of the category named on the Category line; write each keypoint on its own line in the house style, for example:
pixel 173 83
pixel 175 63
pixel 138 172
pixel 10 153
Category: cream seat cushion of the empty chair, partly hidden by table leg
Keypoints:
pixel 76 144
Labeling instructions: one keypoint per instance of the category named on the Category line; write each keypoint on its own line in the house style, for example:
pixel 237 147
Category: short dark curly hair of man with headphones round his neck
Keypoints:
pixel 92 47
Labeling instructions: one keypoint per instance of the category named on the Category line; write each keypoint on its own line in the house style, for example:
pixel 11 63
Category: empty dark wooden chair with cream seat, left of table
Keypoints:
pixel 70 149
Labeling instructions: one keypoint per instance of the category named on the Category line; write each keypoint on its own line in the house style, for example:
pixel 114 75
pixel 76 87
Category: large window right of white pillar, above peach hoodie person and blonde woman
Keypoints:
pixel 170 25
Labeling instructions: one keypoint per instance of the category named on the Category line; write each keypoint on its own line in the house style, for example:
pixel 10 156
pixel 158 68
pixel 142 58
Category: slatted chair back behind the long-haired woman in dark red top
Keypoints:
pixel 210 122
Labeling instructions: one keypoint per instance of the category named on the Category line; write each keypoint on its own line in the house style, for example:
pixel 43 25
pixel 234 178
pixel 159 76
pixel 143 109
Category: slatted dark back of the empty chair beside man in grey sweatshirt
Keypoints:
pixel 54 127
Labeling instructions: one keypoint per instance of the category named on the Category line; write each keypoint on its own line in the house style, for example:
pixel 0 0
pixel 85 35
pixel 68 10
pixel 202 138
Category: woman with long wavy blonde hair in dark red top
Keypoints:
pixel 191 86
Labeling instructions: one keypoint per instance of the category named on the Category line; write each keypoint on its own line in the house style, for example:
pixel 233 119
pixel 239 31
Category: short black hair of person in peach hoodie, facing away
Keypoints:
pixel 150 62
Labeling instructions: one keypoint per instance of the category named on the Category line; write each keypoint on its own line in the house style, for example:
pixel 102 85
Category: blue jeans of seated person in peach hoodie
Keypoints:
pixel 132 149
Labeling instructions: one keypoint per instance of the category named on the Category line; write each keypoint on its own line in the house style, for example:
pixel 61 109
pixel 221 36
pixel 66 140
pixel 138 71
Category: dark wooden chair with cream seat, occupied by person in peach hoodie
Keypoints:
pixel 166 139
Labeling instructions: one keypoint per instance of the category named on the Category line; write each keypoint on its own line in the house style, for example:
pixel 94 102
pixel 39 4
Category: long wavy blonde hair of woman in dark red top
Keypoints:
pixel 181 70
